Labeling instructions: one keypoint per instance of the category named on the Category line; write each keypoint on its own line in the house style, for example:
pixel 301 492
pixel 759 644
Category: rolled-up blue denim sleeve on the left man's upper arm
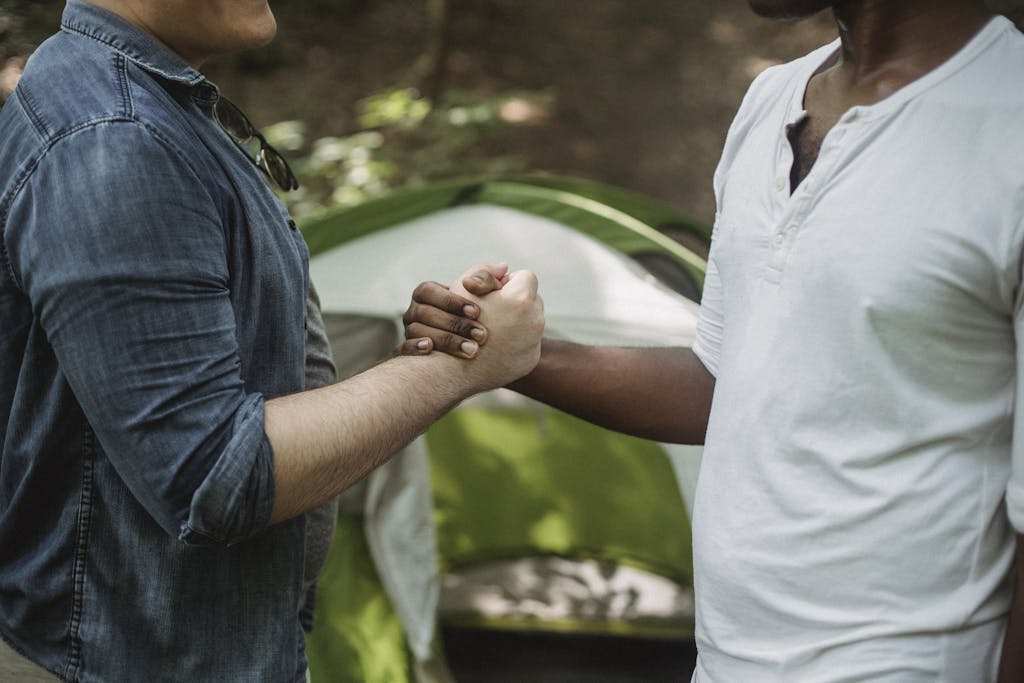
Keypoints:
pixel 130 279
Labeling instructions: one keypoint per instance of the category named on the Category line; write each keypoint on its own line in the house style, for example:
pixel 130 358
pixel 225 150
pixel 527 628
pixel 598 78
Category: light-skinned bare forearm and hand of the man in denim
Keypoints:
pixel 327 440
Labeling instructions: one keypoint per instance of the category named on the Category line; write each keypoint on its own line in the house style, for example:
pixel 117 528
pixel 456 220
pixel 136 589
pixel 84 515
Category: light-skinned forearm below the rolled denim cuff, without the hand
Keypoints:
pixel 327 440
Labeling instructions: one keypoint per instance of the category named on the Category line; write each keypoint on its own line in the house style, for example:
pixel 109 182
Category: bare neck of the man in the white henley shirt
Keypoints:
pixel 901 40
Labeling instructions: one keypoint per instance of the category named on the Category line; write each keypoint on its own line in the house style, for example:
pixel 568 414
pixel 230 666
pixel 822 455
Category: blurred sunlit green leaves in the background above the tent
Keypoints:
pixel 403 140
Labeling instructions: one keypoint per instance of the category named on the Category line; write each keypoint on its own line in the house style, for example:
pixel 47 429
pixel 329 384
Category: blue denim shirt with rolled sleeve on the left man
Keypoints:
pixel 152 298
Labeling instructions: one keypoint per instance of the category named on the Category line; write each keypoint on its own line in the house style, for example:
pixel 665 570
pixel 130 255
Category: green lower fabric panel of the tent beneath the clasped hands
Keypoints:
pixel 583 503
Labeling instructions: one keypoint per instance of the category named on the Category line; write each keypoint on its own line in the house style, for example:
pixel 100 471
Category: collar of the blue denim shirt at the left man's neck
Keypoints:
pixel 139 47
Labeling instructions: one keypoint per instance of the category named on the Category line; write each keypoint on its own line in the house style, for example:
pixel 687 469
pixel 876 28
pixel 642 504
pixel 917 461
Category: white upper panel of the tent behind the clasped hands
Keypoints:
pixel 592 294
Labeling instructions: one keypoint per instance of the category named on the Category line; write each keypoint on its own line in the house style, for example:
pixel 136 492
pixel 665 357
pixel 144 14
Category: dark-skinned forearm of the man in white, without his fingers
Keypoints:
pixel 659 394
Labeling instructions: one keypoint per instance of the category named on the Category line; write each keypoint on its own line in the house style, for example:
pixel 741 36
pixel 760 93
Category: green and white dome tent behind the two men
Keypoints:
pixel 507 514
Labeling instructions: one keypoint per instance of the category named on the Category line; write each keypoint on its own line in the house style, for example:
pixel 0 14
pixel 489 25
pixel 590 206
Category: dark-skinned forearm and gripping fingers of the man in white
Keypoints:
pixel 658 394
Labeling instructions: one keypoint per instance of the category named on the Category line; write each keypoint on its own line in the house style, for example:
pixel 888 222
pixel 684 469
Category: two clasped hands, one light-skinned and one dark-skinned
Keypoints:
pixel 490 316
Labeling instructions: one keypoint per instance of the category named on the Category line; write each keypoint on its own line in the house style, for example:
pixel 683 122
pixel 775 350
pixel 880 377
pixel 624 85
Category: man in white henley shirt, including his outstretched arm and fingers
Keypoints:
pixel 857 362
